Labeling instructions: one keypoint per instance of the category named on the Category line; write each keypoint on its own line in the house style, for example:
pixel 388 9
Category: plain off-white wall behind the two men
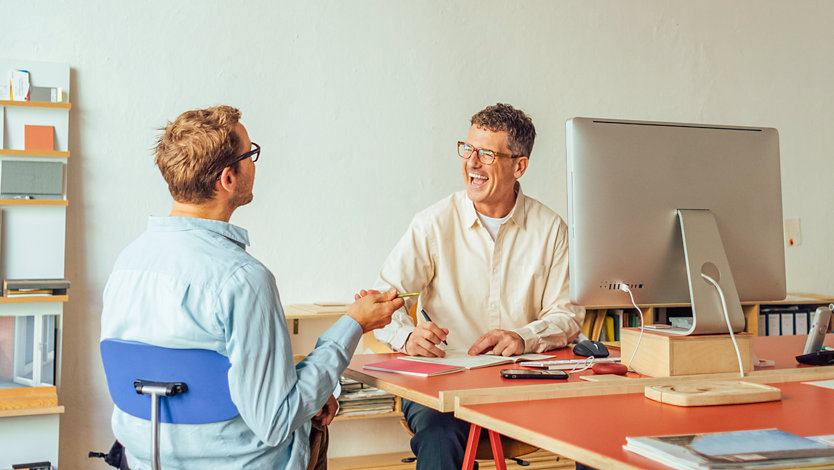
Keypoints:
pixel 357 106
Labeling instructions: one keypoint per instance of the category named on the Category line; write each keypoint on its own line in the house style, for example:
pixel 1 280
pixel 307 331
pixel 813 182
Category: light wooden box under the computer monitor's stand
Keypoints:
pixel 662 354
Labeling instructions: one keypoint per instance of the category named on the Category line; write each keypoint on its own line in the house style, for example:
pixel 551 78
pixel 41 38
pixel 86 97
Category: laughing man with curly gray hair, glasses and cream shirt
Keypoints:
pixel 491 266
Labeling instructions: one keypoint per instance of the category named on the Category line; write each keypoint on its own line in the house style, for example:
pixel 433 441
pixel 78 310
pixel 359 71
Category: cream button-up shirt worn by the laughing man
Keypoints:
pixel 471 284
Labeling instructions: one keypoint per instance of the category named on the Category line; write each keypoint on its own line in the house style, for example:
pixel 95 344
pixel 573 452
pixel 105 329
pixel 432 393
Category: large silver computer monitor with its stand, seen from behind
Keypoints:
pixel 633 185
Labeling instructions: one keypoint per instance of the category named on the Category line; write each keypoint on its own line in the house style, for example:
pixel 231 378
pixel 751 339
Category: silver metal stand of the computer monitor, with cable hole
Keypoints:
pixel 705 254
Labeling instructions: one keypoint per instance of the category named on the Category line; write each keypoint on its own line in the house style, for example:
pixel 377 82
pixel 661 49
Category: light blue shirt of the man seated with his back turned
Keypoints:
pixel 189 283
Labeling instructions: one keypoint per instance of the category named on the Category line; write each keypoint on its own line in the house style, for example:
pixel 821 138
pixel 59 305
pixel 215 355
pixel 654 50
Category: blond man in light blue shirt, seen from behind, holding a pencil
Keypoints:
pixel 187 282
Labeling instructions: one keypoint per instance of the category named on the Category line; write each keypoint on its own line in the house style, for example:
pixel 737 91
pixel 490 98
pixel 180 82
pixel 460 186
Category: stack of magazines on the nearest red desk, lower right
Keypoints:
pixel 760 448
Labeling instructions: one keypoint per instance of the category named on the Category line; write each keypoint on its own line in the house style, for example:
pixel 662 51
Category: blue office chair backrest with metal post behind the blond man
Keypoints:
pixel 194 383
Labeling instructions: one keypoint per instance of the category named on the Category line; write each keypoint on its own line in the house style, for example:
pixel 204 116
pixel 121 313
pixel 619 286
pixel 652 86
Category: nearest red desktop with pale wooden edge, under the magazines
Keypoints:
pixel 592 430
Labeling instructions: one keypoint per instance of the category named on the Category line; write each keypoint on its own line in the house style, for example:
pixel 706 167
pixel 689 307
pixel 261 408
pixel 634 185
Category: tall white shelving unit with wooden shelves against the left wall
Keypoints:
pixel 32 246
